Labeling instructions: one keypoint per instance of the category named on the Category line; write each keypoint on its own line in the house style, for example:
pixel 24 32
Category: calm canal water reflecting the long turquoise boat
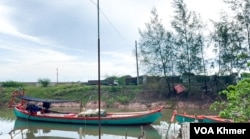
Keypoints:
pixel 12 128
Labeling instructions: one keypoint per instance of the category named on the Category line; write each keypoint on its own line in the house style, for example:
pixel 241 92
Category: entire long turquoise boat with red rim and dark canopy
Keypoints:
pixel 29 111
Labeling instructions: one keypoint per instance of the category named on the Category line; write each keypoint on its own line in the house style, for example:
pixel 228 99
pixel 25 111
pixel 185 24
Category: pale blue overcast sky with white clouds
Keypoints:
pixel 37 37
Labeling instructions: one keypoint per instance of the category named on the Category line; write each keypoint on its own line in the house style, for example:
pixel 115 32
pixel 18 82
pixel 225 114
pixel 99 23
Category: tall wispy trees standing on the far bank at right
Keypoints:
pixel 181 48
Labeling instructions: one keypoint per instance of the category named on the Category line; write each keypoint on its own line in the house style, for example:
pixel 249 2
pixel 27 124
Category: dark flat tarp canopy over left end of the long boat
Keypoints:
pixel 29 98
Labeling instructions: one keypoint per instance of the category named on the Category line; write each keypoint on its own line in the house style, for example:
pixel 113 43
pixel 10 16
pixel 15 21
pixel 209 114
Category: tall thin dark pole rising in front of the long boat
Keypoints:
pixel 99 82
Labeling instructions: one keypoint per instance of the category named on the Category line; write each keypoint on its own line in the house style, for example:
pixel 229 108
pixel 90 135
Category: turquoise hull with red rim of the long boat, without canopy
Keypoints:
pixel 136 119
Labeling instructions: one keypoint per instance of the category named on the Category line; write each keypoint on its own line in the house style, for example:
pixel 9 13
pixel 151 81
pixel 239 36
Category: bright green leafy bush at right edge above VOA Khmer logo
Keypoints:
pixel 236 106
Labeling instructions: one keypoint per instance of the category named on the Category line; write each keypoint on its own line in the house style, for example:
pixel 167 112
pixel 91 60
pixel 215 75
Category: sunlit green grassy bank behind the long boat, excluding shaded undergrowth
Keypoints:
pixel 80 92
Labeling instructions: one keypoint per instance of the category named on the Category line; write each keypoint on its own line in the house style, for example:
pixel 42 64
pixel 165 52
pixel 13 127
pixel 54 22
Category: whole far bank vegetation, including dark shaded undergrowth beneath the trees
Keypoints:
pixel 155 89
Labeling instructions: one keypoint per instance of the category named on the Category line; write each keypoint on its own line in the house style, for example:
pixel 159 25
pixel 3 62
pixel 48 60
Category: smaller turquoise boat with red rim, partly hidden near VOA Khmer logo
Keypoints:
pixel 184 117
